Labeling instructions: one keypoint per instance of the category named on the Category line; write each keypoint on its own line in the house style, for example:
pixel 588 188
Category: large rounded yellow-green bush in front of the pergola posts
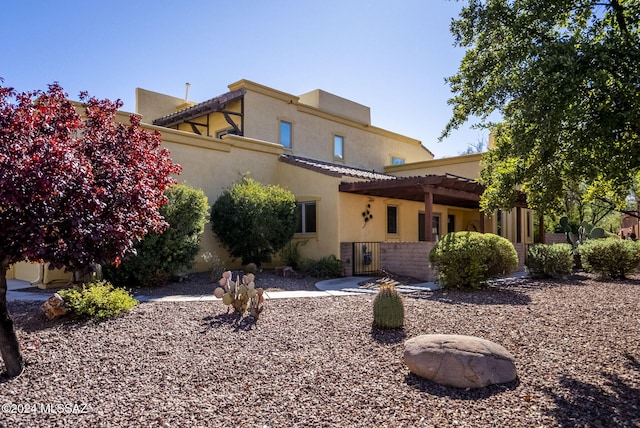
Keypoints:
pixel 469 259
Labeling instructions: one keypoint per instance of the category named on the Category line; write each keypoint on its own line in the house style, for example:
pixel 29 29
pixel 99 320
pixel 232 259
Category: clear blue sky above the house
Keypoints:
pixel 390 56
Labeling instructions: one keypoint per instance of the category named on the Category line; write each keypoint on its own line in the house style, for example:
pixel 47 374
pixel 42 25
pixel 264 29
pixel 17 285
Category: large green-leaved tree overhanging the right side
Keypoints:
pixel 565 76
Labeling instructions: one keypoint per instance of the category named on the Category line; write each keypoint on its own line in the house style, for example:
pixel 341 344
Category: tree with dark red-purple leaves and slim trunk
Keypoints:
pixel 73 191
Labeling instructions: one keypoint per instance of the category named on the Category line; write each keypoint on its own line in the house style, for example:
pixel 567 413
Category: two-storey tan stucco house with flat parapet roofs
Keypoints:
pixel 372 197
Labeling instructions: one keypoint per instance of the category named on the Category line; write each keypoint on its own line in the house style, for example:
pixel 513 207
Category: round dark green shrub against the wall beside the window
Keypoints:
pixel 254 221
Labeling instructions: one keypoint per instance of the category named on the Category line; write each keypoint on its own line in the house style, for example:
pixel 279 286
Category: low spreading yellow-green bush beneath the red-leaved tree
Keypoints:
pixel 98 299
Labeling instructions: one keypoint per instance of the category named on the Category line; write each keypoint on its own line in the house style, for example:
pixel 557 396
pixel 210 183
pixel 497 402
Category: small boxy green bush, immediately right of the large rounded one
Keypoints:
pixel 550 261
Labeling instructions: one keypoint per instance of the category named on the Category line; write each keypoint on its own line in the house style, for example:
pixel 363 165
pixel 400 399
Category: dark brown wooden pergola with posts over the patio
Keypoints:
pixel 445 189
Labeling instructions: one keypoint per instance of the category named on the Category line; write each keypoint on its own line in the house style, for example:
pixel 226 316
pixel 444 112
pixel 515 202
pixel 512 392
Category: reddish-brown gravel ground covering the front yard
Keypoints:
pixel 316 362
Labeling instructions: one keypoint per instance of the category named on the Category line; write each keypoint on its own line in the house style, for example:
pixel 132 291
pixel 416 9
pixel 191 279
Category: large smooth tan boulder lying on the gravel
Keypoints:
pixel 459 361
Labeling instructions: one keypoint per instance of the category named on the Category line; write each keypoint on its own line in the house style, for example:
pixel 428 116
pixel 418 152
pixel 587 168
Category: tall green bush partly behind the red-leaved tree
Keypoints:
pixel 161 256
